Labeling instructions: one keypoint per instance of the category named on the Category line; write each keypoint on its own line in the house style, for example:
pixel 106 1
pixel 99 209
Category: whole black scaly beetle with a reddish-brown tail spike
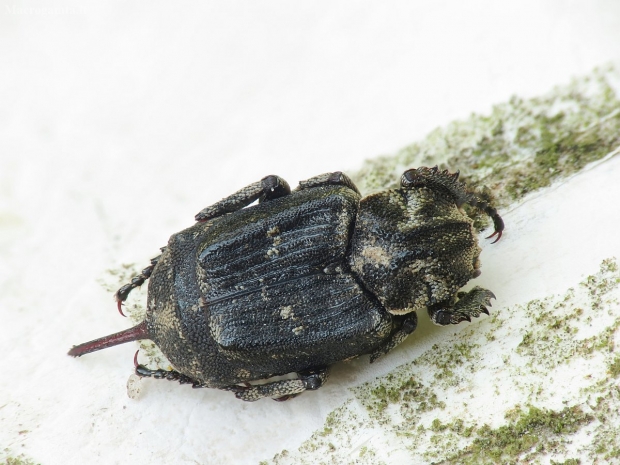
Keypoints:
pixel 306 278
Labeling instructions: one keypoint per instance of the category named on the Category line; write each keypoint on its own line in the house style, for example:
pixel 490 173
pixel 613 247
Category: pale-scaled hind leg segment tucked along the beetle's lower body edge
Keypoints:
pixel 282 390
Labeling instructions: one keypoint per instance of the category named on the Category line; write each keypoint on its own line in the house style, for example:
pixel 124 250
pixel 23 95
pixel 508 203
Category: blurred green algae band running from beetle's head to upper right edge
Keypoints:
pixel 522 146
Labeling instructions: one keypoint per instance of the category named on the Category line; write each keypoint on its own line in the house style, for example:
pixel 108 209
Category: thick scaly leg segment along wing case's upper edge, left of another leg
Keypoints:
pixel 268 188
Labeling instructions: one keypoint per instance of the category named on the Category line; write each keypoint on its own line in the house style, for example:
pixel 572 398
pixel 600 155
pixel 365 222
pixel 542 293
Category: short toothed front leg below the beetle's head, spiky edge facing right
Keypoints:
pixel 470 304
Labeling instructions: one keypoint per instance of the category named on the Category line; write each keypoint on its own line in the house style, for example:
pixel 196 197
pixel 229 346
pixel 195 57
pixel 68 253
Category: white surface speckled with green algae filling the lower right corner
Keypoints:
pixel 550 369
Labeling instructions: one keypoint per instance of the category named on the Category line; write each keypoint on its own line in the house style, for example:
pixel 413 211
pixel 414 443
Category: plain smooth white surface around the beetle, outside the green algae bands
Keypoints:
pixel 119 121
